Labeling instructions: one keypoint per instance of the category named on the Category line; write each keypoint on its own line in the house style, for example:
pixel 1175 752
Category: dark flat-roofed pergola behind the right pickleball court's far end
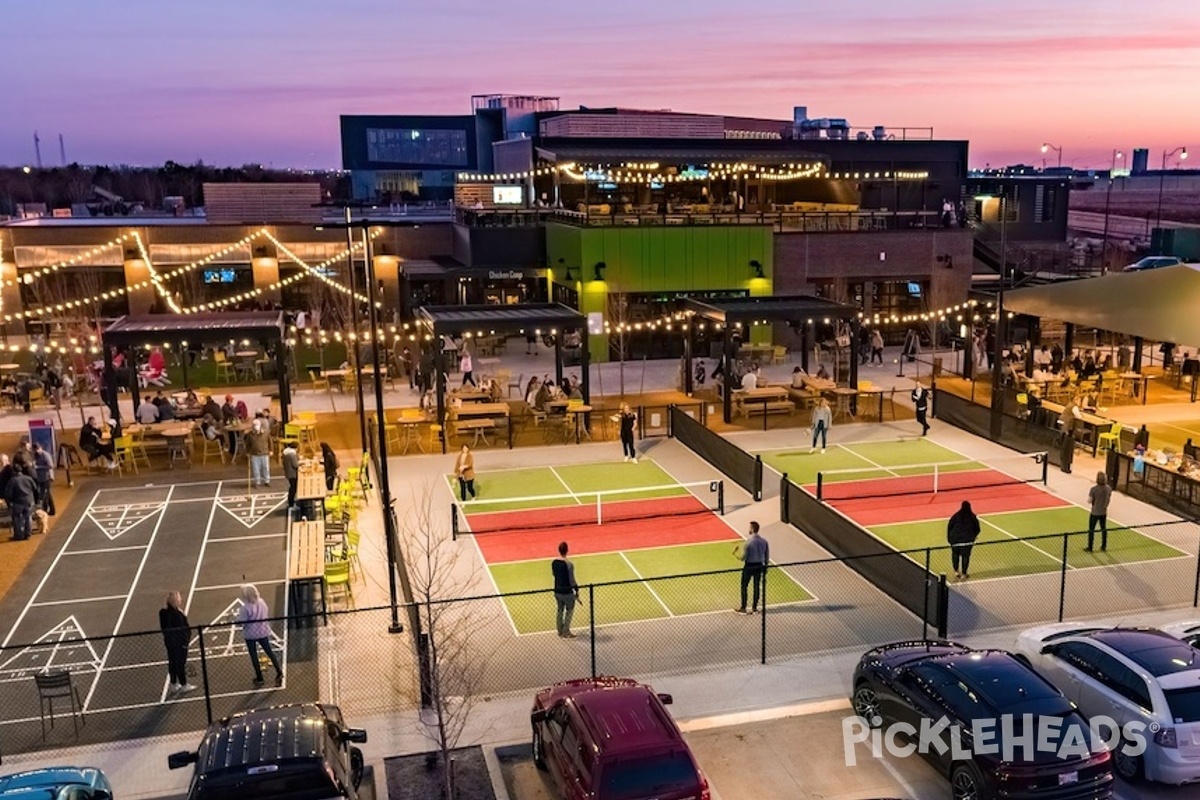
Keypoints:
pixel 747 311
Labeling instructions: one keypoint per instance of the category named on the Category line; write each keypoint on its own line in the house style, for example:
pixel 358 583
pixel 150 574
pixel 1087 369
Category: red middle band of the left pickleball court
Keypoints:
pixel 632 536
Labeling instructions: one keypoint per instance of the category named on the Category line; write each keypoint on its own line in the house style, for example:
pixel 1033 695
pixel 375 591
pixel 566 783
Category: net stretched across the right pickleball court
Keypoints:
pixel 904 480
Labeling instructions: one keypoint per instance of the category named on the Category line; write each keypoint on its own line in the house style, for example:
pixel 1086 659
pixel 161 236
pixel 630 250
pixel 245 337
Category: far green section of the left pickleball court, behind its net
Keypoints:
pixel 541 488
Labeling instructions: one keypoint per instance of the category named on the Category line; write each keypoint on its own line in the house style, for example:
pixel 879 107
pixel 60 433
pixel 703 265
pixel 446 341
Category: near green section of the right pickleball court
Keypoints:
pixel 1011 558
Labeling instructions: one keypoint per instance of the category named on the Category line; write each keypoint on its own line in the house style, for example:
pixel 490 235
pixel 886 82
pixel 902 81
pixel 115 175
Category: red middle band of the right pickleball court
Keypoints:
pixel 915 508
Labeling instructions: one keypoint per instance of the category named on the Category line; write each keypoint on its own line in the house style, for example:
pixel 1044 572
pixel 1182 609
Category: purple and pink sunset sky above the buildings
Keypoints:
pixel 265 81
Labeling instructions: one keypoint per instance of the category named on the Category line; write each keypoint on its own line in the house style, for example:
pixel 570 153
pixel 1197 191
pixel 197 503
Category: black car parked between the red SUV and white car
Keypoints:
pixel 925 683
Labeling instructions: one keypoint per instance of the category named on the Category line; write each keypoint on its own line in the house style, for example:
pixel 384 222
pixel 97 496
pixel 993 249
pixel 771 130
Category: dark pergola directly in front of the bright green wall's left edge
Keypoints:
pixel 488 321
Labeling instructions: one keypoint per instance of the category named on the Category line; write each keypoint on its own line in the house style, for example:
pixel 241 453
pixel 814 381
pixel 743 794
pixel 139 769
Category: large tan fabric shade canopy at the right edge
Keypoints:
pixel 1160 305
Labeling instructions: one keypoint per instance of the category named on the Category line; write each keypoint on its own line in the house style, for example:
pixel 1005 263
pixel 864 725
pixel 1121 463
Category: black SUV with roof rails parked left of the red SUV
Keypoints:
pixel 295 753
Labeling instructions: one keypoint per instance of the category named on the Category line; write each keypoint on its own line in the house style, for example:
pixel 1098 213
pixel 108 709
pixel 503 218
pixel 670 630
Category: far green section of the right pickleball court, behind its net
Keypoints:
pixel 874 459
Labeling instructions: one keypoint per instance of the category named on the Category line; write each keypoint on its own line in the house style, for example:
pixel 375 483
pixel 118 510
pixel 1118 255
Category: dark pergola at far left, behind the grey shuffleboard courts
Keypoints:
pixel 136 332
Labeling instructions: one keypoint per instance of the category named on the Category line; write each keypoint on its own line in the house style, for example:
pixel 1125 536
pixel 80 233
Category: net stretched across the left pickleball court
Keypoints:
pixel 550 512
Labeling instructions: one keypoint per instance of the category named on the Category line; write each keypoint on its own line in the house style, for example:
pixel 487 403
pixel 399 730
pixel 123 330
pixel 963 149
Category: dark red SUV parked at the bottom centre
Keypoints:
pixel 613 739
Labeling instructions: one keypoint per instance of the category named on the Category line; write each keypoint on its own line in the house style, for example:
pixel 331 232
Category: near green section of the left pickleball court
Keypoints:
pixel 646 599
